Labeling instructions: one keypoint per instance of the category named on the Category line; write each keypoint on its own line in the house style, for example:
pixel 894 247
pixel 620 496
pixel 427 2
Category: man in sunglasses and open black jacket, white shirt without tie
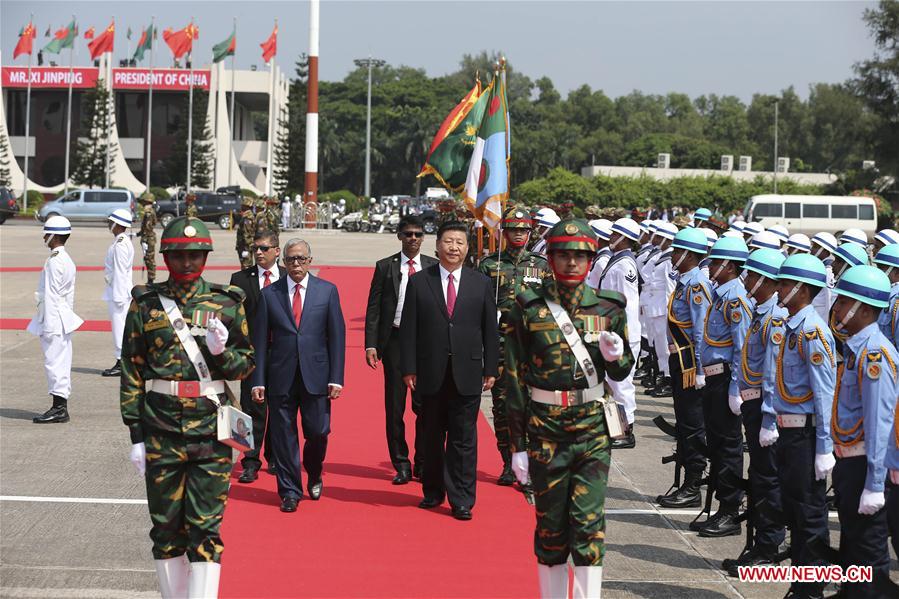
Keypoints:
pixel 382 343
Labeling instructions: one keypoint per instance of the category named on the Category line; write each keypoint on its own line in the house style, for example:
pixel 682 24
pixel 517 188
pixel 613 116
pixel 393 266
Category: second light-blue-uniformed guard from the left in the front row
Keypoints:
pixel 724 334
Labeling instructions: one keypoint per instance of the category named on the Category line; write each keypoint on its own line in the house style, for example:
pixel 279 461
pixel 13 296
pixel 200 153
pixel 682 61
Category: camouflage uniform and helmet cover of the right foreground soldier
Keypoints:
pixel 568 446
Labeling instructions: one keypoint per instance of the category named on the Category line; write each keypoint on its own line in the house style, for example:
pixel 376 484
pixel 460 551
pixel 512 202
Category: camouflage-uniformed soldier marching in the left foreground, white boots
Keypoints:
pixel 172 423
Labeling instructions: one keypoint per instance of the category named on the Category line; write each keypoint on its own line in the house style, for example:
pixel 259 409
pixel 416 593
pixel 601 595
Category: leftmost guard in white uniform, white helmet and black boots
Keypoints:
pixel 55 320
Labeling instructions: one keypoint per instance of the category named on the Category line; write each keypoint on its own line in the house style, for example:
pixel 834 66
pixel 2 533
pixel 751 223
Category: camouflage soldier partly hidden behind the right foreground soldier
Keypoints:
pixel 512 270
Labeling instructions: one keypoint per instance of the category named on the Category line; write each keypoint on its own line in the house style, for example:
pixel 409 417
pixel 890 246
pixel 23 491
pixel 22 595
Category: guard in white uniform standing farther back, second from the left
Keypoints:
pixel 117 270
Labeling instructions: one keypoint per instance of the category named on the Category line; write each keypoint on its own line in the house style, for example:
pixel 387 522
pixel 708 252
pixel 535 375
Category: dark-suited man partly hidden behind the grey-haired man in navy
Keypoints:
pixel 265 252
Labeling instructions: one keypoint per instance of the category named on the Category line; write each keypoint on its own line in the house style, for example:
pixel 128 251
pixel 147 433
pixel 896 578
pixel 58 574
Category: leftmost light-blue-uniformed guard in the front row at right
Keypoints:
pixel 686 313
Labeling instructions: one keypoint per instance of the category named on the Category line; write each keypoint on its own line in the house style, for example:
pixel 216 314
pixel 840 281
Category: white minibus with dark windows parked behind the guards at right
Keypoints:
pixel 813 214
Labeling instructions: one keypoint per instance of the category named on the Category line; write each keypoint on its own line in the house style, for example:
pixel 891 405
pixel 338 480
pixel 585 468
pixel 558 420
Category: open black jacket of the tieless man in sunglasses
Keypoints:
pixel 383 296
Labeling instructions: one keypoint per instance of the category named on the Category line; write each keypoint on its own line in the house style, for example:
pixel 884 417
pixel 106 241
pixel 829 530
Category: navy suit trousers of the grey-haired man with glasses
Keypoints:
pixel 315 415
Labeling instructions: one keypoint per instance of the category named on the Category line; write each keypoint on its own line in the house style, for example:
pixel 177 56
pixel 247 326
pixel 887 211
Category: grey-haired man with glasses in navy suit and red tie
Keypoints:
pixel 300 337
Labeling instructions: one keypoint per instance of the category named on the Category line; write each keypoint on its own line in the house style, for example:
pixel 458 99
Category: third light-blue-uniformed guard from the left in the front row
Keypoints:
pixel 761 279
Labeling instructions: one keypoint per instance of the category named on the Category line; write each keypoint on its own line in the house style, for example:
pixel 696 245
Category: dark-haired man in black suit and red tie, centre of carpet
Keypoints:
pixel 449 351
